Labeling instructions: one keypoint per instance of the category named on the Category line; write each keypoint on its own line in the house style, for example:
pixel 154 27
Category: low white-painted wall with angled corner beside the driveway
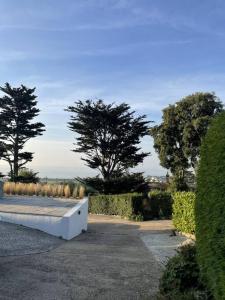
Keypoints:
pixel 68 226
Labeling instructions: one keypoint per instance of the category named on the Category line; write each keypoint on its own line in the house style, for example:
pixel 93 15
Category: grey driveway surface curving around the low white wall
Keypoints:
pixel 110 261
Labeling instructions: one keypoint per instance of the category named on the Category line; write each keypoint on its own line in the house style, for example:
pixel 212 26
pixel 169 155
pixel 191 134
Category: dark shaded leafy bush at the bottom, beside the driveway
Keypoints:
pixel 181 278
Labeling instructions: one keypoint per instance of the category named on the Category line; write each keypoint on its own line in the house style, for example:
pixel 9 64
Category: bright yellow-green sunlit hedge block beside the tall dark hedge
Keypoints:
pixel 183 211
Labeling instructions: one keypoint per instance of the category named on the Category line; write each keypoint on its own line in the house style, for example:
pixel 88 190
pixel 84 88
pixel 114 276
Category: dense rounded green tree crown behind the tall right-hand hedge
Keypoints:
pixel 178 138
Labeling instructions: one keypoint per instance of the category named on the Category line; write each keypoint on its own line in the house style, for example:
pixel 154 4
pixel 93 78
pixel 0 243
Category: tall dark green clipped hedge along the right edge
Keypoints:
pixel 210 208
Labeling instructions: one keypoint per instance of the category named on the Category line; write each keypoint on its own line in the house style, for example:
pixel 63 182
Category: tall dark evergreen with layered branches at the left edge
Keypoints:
pixel 17 111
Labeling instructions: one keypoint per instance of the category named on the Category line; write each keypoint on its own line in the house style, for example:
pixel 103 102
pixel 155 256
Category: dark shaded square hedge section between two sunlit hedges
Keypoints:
pixel 160 205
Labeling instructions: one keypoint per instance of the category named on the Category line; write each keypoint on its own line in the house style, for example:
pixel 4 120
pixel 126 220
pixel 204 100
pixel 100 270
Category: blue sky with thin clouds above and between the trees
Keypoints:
pixel 148 53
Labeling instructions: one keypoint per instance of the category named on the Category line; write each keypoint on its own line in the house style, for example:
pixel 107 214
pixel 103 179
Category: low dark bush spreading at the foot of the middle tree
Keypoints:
pixel 119 185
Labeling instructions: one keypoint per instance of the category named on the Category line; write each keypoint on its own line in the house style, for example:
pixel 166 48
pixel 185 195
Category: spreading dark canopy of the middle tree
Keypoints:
pixel 109 135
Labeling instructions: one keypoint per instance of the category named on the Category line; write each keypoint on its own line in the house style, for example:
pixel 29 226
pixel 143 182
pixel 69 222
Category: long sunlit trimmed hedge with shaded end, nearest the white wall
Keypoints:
pixel 124 205
